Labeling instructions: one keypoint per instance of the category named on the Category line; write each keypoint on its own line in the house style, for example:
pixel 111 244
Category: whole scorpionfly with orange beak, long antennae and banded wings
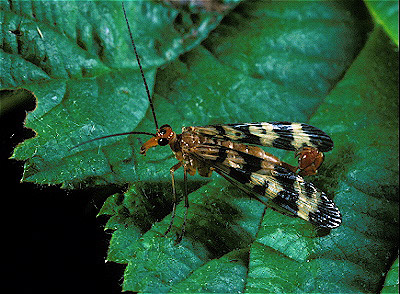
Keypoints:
pixel 230 150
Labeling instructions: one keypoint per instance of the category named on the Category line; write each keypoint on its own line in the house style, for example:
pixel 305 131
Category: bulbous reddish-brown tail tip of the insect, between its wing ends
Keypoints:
pixel 310 159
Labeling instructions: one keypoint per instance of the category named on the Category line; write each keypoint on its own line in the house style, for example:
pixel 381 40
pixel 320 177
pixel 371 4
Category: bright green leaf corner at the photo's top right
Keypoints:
pixel 386 14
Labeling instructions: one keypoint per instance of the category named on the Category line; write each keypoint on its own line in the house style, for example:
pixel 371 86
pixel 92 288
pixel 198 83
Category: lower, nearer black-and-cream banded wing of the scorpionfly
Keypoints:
pixel 284 188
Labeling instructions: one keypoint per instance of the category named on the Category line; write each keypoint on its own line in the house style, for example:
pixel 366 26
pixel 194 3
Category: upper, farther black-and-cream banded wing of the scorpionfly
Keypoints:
pixel 282 135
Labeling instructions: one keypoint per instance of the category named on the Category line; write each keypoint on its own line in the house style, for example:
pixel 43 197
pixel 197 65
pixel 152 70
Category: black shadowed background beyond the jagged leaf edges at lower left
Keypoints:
pixel 52 240
